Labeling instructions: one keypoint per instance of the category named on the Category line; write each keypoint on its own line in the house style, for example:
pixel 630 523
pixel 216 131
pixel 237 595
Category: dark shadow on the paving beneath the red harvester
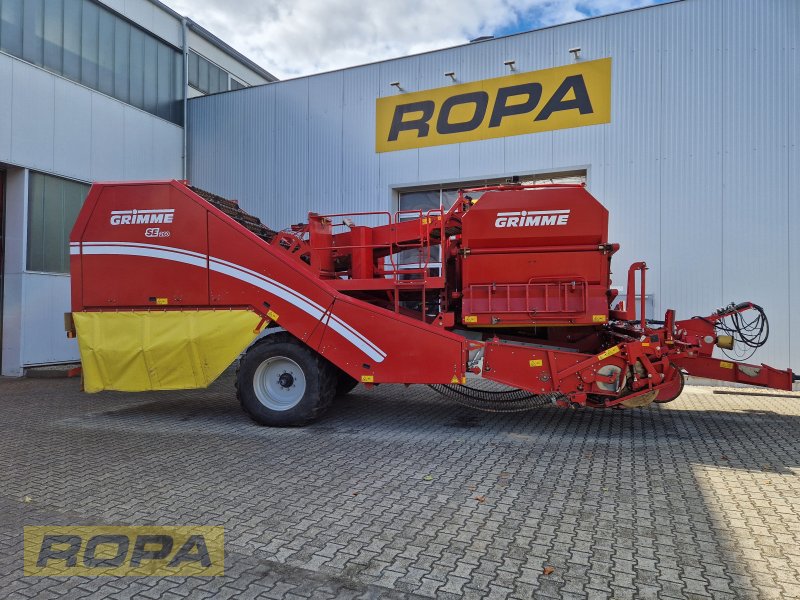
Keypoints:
pixel 417 411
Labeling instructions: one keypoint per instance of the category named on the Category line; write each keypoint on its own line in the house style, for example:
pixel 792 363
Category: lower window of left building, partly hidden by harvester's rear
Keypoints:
pixel 53 206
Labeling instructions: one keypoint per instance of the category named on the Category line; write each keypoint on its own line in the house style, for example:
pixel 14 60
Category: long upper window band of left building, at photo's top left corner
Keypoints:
pixel 87 43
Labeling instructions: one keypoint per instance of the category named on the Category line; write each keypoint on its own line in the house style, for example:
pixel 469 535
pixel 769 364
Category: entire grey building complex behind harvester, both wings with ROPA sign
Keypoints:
pixel 681 118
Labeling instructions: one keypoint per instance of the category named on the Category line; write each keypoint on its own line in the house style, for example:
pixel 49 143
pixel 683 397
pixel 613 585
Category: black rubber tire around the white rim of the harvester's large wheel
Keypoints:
pixel 320 377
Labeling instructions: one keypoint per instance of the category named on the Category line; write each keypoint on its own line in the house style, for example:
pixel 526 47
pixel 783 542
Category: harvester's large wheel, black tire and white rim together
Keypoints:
pixel 281 382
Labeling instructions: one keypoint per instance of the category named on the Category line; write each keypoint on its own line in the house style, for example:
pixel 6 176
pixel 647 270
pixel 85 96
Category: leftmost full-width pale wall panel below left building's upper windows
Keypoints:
pixel 32 116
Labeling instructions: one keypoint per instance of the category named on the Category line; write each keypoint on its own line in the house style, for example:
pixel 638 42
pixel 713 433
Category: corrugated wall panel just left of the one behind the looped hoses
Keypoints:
pixel 691 180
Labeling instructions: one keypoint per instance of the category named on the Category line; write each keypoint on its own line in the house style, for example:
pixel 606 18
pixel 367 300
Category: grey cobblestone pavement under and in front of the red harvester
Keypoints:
pixel 397 493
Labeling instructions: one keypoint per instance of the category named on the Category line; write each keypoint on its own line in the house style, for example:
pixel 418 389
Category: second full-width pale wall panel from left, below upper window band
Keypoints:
pixel 72 134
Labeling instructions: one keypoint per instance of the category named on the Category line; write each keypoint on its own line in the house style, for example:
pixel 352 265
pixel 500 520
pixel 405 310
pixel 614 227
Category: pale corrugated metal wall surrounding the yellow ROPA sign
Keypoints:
pixel 697 165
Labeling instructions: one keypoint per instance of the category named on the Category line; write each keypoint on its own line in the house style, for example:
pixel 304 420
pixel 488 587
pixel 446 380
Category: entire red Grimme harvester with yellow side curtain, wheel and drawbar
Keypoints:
pixel 511 285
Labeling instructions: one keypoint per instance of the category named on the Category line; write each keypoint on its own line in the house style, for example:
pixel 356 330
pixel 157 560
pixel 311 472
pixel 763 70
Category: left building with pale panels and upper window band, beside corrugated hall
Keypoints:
pixel 90 90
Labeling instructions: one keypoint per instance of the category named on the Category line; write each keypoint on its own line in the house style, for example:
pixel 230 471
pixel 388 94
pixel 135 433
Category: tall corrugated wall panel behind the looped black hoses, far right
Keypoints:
pixel 755 189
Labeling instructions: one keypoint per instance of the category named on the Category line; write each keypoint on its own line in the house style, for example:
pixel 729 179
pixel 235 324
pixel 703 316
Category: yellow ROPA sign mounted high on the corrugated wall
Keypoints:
pixel 572 96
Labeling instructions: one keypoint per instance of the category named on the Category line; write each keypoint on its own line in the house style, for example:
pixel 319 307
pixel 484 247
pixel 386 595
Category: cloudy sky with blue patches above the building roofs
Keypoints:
pixel 300 37
